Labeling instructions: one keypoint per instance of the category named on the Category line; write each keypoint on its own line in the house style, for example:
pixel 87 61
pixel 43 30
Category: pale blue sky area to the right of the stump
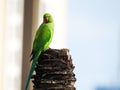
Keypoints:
pixel 93 38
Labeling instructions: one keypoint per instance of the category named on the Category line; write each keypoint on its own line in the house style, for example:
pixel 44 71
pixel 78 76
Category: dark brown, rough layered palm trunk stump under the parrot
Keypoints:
pixel 54 71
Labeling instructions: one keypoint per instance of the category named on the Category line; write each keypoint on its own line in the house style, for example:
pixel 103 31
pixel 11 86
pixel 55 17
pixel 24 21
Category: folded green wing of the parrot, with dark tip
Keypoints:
pixel 42 40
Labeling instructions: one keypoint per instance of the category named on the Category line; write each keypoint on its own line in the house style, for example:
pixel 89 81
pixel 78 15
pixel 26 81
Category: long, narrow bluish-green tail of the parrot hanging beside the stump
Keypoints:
pixel 34 62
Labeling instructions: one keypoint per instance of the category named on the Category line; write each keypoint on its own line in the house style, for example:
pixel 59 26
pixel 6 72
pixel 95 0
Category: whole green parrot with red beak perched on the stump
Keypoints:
pixel 41 42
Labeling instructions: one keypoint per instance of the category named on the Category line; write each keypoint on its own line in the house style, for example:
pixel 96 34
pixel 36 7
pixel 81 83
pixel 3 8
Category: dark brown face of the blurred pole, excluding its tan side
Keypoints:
pixel 27 33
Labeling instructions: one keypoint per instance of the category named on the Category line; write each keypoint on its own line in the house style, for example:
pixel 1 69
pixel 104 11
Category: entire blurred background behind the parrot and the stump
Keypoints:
pixel 89 28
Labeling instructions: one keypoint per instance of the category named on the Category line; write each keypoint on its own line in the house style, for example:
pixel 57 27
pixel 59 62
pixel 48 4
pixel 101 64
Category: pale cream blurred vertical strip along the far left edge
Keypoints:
pixel 2 38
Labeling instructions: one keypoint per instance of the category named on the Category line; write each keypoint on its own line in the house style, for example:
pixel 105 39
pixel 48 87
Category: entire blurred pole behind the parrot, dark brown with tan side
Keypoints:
pixel 30 27
